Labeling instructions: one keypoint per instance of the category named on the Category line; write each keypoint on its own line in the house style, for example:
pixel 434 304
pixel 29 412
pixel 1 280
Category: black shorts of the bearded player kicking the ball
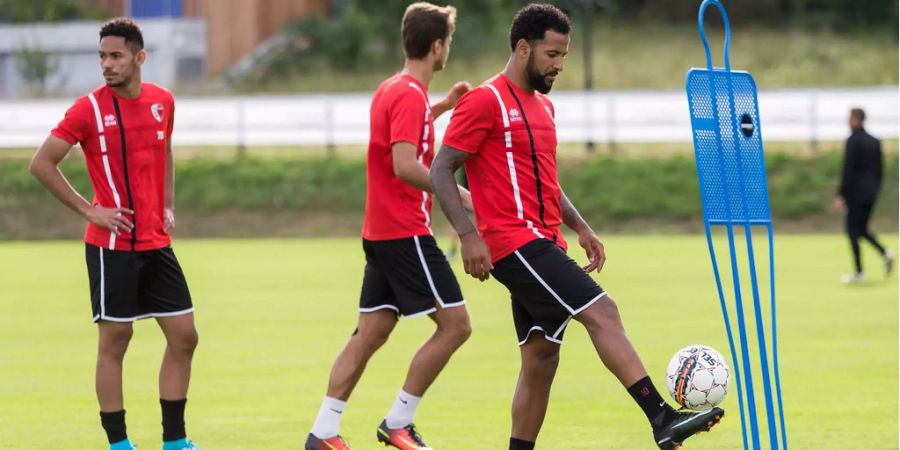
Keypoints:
pixel 547 288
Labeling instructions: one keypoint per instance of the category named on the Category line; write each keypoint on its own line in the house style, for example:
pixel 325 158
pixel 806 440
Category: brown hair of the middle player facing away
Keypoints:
pixel 424 23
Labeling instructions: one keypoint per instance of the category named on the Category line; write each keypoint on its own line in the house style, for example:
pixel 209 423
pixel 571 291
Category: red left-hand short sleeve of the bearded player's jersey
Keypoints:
pixel 472 120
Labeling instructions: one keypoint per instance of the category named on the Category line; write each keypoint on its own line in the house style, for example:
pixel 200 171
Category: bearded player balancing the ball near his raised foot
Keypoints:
pixel 504 133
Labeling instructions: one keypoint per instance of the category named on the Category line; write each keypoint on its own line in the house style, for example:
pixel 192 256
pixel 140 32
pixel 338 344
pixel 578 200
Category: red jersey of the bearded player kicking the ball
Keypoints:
pixel 512 174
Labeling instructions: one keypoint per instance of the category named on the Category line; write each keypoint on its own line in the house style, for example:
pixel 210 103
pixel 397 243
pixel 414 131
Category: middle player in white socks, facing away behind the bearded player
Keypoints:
pixel 406 273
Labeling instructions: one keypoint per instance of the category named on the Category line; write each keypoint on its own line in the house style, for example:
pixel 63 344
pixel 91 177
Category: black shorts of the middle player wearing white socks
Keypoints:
pixel 410 276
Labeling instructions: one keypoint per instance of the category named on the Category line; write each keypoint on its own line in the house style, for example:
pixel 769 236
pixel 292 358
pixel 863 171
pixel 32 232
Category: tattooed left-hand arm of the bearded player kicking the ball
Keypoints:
pixel 475 253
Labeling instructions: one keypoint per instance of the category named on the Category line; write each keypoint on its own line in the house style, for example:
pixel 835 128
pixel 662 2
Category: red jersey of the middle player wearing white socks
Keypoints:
pixel 400 112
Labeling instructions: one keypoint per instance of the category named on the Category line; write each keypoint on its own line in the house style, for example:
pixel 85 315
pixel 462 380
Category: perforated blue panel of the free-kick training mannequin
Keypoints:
pixel 728 147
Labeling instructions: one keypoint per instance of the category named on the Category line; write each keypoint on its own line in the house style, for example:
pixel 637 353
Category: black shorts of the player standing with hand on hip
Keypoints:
pixel 127 286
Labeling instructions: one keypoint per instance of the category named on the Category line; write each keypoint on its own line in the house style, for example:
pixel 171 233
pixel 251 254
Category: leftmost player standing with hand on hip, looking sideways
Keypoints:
pixel 124 129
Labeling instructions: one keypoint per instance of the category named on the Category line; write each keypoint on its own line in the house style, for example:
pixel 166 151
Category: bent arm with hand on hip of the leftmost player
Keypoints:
pixel 45 167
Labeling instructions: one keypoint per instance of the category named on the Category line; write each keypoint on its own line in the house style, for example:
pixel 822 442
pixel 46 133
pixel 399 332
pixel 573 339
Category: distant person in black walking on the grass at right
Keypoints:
pixel 860 183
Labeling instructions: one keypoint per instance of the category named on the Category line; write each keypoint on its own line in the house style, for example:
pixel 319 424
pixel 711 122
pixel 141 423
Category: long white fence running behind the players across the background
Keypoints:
pixel 809 115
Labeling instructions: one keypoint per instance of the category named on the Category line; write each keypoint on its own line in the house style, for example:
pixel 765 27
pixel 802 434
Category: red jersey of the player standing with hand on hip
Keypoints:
pixel 124 143
